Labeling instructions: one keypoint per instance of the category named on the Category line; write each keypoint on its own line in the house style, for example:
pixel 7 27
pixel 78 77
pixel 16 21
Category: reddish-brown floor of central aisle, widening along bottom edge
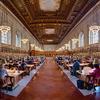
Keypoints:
pixel 50 85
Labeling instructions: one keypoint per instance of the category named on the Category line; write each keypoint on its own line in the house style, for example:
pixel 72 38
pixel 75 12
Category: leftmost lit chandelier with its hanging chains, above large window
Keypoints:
pixel 4 28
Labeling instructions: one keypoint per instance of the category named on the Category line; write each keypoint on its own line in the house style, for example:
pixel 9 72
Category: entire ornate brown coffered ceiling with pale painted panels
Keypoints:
pixel 49 20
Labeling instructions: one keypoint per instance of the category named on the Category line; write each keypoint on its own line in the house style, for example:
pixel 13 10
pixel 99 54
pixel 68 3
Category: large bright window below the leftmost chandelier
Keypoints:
pixel 6 37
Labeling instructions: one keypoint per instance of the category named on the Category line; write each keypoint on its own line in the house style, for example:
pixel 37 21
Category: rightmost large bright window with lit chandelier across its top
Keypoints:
pixel 94 34
